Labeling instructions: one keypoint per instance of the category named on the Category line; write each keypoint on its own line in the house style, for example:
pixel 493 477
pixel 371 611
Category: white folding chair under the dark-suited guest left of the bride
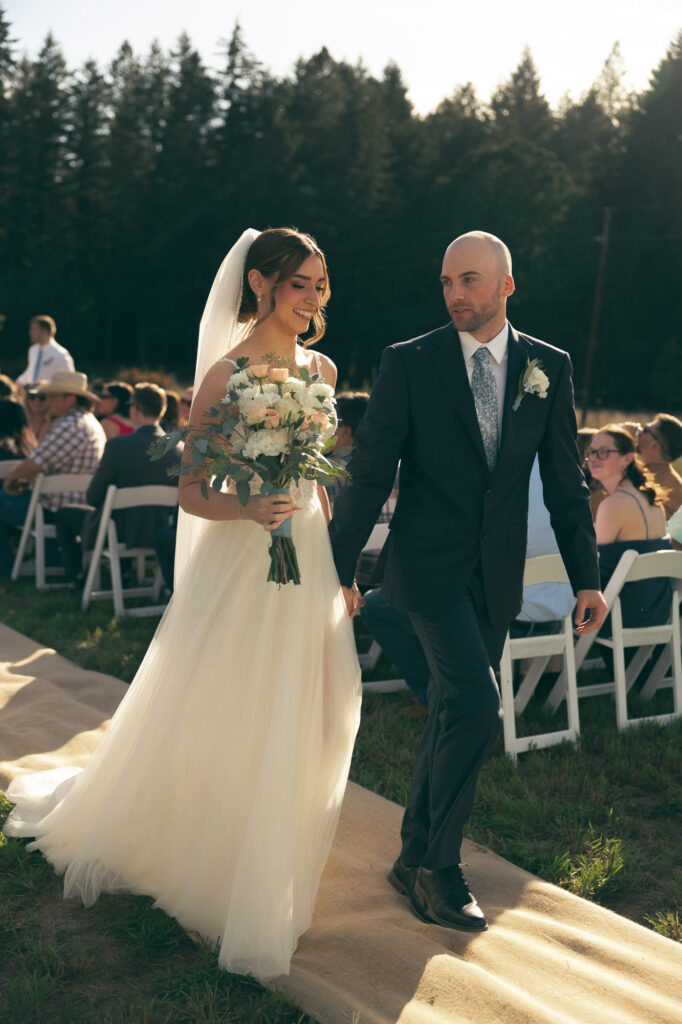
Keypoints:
pixel 109 547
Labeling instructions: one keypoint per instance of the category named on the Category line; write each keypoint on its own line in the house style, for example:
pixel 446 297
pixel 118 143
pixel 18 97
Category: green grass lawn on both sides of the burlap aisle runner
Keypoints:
pixel 604 822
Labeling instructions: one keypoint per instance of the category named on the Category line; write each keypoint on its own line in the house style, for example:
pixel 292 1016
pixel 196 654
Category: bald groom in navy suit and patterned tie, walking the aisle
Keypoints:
pixel 452 408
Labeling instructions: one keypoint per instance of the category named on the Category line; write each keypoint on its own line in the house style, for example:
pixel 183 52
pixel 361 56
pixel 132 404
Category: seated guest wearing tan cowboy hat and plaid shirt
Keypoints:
pixel 74 444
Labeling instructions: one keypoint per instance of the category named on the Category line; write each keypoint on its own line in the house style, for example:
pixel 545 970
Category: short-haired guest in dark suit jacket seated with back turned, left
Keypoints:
pixel 125 463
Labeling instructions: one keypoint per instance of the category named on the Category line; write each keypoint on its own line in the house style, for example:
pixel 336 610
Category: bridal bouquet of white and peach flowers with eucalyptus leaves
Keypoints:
pixel 273 426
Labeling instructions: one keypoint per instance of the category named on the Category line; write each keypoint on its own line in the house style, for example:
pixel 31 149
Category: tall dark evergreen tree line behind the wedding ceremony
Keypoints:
pixel 121 190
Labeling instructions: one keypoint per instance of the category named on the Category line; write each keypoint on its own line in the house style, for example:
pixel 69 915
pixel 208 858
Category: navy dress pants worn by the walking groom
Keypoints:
pixel 462 649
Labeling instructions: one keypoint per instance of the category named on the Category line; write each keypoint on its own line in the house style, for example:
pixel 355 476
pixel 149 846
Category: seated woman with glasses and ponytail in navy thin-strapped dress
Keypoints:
pixel 631 518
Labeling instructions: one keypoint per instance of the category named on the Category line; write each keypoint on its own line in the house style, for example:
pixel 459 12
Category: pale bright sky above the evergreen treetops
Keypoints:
pixel 438 46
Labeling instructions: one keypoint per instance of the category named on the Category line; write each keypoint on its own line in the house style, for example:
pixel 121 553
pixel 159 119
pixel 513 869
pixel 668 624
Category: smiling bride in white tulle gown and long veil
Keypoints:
pixel 219 783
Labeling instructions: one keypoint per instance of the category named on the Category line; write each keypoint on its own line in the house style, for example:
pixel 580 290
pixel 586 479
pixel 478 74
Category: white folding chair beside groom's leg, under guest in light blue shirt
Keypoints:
pixel 545 569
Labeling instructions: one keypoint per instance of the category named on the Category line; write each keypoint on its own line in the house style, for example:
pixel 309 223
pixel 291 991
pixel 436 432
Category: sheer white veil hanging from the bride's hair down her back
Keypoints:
pixel 219 334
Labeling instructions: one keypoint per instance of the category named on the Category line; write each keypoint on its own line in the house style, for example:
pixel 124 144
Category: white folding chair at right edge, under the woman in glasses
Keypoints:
pixel 657 566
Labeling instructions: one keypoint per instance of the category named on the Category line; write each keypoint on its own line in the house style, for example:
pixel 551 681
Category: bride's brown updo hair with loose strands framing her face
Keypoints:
pixel 281 251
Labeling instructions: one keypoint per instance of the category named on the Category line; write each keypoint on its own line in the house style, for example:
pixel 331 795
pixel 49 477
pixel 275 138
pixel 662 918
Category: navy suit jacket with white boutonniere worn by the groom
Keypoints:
pixel 452 511
